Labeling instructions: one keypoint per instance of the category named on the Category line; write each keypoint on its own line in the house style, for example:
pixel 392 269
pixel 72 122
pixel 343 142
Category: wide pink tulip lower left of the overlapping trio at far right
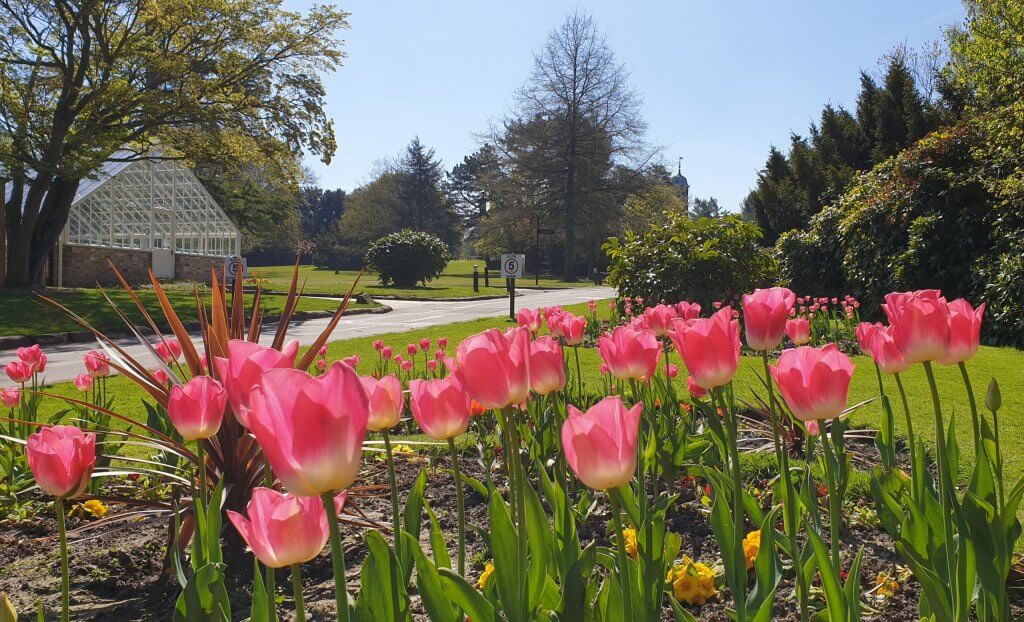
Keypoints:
pixel 815 382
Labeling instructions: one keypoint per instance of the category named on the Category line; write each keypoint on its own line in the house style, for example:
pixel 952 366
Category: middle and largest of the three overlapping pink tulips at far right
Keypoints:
pixel 921 324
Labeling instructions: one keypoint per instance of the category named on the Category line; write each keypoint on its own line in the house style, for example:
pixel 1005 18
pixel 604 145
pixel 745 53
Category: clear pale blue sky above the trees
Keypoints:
pixel 721 81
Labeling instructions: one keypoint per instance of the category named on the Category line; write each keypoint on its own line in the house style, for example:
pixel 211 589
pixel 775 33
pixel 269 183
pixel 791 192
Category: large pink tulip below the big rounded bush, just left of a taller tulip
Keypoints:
pixel 710 348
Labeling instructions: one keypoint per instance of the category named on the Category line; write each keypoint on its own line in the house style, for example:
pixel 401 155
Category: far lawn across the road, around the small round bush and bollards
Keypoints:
pixel 457 282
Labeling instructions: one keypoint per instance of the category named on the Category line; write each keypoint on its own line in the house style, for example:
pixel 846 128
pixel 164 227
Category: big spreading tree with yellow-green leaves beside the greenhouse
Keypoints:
pixel 84 79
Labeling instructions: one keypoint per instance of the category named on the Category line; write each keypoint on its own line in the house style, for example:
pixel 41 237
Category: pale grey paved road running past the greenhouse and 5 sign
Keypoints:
pixel 66 359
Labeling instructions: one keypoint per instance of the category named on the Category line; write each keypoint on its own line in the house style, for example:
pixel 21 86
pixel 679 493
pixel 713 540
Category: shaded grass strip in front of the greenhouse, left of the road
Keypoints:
pixel 23 314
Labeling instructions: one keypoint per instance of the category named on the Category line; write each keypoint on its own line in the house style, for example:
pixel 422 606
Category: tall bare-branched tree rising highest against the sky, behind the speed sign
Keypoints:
pixel 579 93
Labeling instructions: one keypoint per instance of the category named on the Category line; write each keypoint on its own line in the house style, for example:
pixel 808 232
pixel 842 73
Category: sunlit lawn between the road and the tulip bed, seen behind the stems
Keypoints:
pixel 1004 364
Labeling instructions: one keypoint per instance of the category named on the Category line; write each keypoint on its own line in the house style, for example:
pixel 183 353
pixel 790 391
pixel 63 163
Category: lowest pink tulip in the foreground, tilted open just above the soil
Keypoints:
pixel 283 529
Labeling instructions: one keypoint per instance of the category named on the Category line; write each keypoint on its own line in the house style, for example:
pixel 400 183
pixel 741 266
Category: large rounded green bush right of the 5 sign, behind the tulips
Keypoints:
pixel 702 261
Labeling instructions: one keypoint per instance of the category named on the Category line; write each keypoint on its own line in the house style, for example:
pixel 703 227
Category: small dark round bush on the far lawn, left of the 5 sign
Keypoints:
pixel 408 258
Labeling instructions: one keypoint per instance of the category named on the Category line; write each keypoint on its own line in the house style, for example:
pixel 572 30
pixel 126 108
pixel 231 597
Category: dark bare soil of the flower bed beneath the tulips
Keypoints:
pixel 117 573
